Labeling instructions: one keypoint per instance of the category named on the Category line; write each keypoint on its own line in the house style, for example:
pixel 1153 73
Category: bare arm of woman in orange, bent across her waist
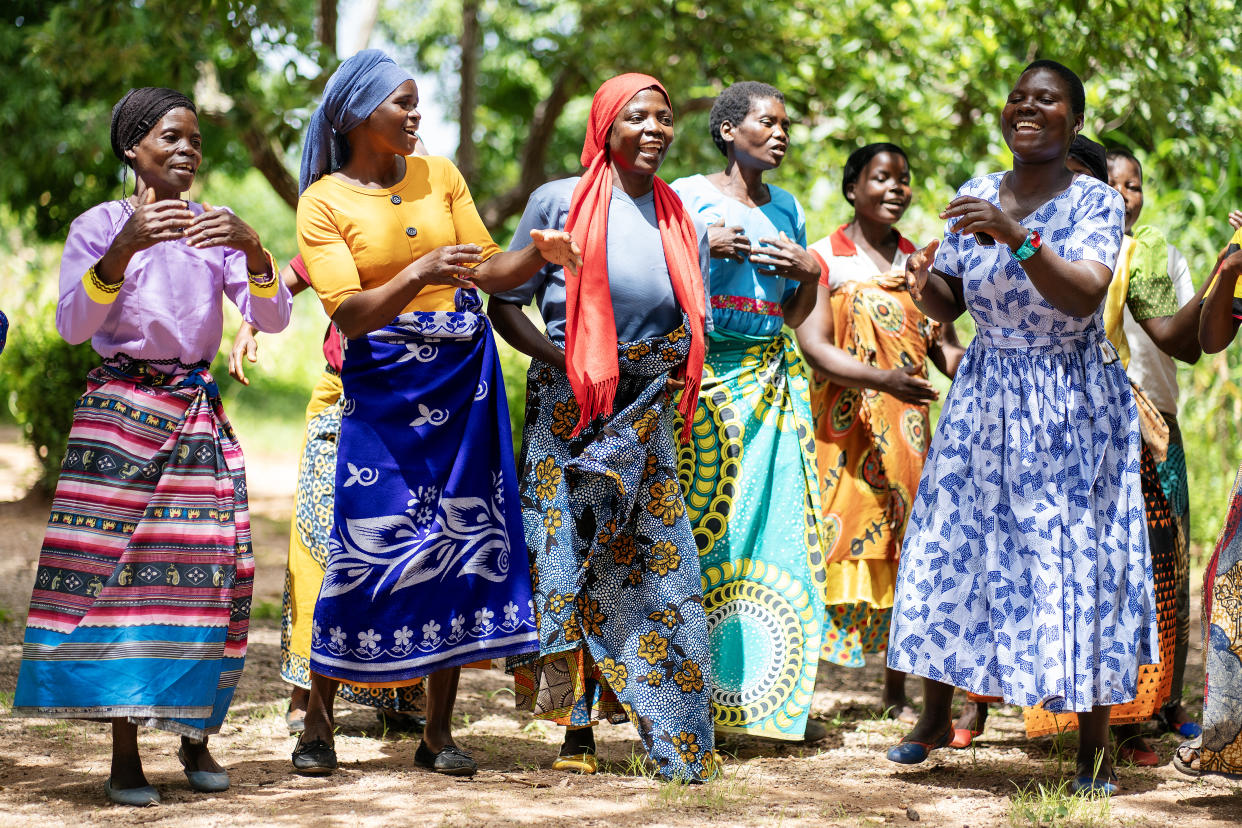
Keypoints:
pixel 817 337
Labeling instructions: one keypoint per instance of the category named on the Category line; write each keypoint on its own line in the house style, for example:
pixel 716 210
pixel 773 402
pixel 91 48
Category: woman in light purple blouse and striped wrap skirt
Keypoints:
pixel 142 596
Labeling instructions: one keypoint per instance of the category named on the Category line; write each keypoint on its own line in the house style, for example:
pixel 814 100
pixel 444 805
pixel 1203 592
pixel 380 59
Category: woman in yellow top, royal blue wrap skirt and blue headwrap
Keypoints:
pixel 427 558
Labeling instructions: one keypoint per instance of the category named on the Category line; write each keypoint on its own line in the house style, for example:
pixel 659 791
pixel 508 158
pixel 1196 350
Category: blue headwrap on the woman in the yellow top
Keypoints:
pixel 355 90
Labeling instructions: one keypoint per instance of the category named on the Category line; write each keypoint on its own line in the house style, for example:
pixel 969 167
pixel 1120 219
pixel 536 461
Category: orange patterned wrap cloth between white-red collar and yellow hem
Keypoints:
pixel 871 446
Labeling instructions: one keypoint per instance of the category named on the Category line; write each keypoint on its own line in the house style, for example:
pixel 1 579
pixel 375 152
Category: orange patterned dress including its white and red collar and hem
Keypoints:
pixel 871 446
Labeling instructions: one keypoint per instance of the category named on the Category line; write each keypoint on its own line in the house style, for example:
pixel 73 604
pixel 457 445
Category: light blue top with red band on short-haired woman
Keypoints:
pixel 745 299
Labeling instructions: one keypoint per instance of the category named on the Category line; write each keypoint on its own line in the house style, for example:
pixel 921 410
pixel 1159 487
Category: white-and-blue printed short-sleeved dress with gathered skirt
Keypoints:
pixel 1025 572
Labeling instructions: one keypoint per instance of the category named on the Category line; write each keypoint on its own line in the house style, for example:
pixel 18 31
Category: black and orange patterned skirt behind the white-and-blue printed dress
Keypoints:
pixel 1156 681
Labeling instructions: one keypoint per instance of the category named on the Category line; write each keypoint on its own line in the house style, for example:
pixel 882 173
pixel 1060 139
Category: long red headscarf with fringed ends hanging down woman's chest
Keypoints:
pixel 591 328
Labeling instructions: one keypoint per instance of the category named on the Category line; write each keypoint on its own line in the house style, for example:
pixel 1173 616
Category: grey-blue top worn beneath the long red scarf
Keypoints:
pixel 643 292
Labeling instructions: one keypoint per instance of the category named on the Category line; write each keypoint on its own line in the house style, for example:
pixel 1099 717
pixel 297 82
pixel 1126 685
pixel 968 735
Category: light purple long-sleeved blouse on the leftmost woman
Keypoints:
pixel 170 306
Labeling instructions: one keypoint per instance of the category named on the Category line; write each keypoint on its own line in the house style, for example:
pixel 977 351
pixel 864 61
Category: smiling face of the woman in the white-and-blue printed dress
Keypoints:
pixel 1038 121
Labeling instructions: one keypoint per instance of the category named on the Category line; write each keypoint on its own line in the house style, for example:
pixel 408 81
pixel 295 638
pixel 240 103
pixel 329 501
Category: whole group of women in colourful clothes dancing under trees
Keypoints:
pixel 695 520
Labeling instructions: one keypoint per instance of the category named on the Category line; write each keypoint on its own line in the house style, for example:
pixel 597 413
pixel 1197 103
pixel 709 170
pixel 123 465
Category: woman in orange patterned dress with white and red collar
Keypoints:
pixel 869 346
